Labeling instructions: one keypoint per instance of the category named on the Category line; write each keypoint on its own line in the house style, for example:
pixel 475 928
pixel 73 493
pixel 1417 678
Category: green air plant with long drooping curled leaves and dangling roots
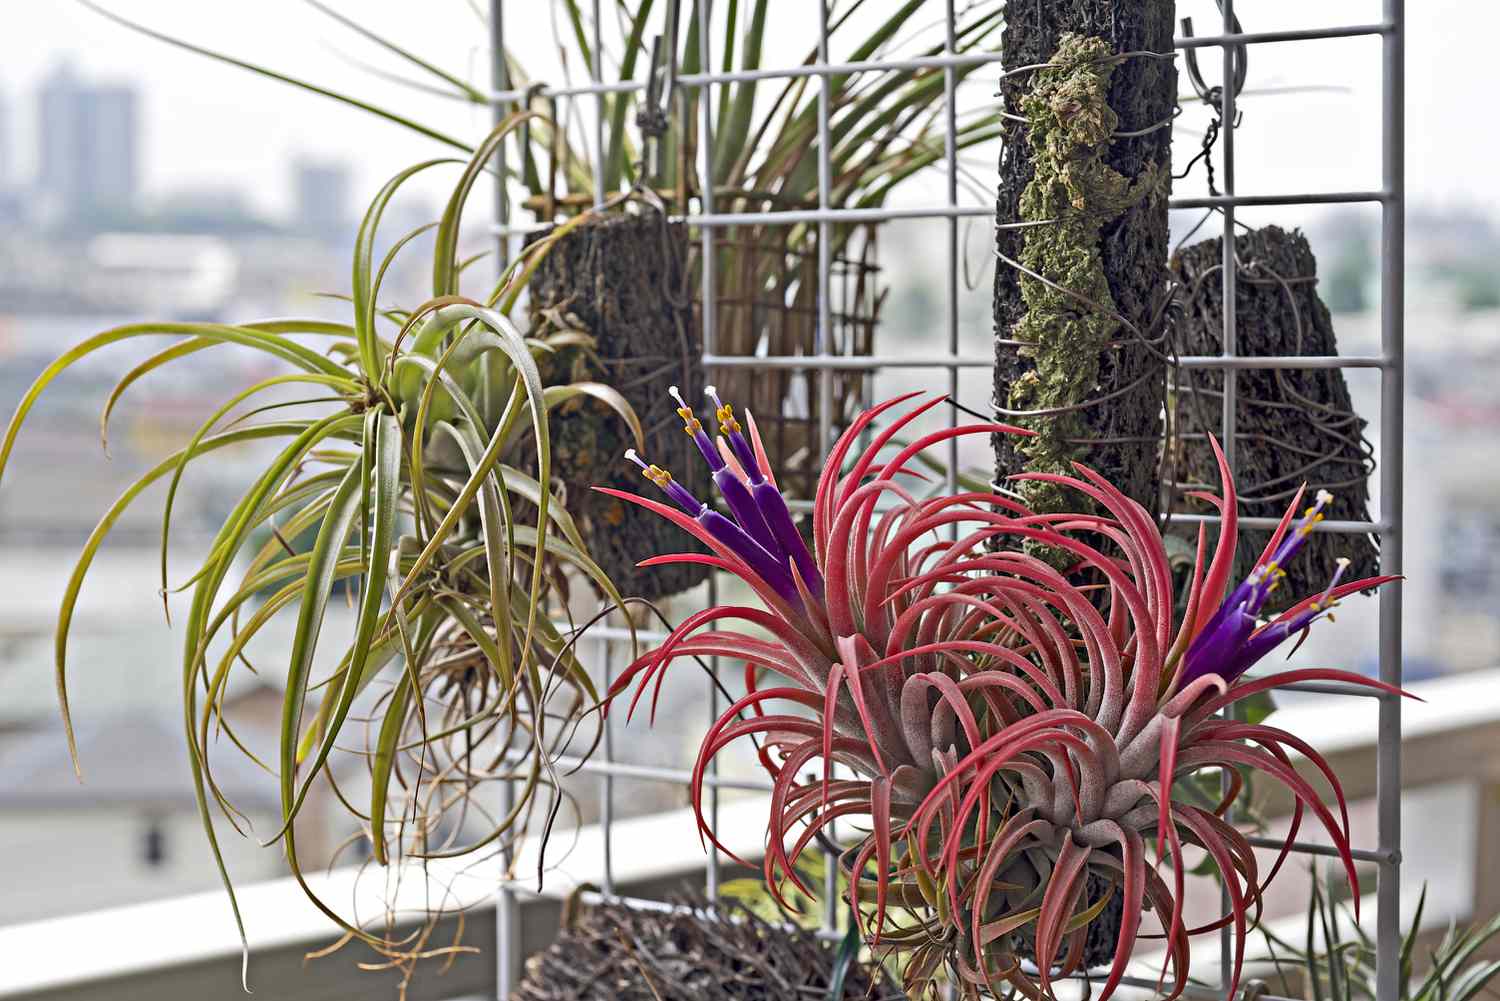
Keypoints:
pixel 398 463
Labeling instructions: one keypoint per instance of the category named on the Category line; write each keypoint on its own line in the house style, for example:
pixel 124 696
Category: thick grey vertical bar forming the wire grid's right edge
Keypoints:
pixel 1393 430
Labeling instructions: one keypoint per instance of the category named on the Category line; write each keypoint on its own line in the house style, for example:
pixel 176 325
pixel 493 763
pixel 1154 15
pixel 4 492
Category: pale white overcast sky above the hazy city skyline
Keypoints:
pixel 211 125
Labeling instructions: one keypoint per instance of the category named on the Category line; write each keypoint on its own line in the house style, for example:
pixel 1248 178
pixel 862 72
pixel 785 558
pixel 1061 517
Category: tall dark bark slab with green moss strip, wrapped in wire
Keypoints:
pixel 1106 242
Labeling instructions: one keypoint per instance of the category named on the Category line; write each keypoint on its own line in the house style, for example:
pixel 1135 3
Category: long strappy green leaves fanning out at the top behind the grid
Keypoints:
pixel 884 125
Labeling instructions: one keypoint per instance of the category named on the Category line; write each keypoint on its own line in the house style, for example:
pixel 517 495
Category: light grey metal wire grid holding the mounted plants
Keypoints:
pixel 826 365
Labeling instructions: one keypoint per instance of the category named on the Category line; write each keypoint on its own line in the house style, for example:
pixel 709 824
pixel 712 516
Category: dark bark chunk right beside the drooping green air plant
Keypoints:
pixel 622 280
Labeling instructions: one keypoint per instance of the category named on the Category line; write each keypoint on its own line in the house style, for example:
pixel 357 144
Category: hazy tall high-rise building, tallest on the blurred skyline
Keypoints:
pixel 91 146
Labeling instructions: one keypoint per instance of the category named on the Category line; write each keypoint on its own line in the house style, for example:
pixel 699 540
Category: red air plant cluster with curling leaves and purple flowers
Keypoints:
pixel 1004 729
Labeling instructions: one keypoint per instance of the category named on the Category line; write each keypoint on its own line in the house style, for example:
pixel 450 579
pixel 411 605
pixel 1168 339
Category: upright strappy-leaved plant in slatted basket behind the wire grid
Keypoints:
pixel 886 128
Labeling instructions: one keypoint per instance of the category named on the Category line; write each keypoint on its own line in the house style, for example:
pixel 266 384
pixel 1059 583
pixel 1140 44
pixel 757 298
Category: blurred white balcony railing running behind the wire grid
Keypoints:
pixel 187 949
